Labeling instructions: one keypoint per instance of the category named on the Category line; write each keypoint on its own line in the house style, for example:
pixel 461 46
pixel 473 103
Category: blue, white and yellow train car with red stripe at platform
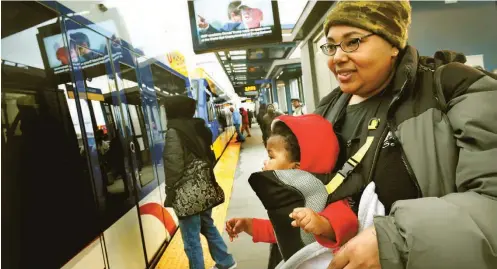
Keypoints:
pixel 83 130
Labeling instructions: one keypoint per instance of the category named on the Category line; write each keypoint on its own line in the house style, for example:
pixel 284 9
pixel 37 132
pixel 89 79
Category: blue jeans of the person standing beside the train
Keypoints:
pixel 191 227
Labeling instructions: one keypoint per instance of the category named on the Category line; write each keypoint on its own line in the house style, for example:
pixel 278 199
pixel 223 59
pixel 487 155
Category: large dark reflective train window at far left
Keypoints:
pixel 48 190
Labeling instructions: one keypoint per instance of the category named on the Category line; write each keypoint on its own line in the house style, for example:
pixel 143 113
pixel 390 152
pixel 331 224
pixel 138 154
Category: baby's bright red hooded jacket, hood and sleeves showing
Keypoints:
pixel 319 150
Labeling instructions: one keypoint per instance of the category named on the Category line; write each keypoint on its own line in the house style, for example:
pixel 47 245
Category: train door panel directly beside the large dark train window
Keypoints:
pixel 111 145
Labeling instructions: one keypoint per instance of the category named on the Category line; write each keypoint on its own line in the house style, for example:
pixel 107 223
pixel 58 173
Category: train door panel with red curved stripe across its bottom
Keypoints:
pixel 141 106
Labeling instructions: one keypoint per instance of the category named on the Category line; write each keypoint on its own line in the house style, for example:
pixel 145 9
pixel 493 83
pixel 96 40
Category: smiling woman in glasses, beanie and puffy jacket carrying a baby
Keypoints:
pixel 434 143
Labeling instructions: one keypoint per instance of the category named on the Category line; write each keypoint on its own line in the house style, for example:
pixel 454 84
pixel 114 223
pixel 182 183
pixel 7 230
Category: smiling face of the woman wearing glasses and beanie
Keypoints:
pixel 365 71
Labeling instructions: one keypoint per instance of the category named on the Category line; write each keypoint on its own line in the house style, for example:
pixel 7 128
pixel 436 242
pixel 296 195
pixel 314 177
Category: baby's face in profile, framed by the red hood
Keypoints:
pixel 279 157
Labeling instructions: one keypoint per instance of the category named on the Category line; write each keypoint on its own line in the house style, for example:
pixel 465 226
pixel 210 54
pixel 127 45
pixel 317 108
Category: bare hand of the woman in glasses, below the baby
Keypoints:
pixel 361 252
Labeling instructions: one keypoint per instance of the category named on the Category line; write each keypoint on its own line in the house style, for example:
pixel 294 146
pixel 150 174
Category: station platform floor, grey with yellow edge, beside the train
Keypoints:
pixel 232 171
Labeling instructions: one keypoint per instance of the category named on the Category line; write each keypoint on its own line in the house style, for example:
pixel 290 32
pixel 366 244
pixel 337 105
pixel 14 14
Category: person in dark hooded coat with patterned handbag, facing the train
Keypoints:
pixel 191 188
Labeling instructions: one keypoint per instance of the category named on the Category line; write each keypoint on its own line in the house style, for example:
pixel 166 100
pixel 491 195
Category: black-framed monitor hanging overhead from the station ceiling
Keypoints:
pixel 226 24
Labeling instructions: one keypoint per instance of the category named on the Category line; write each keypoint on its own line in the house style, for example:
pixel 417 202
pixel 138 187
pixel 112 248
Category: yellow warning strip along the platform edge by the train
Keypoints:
pixel 174 257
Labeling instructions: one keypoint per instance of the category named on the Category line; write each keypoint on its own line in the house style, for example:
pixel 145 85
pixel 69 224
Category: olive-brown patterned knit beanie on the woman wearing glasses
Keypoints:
pixel 388 19
